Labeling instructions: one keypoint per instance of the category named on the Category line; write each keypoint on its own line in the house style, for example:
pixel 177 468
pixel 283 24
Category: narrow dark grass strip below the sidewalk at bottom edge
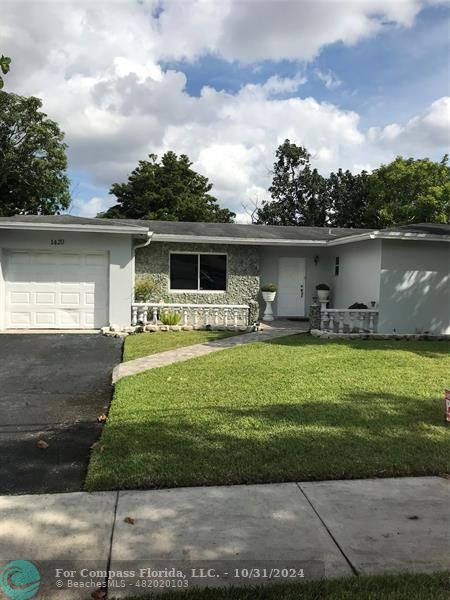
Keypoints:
pixel 389 587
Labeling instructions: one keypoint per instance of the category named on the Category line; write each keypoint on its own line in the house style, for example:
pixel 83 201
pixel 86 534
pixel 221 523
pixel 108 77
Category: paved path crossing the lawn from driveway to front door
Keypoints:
pixel 162 359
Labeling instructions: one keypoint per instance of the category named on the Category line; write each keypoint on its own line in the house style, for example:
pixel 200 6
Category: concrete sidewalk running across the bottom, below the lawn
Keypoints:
pixel 328 529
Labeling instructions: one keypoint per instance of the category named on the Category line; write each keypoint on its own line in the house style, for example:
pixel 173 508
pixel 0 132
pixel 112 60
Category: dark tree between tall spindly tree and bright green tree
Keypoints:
pixel 348 197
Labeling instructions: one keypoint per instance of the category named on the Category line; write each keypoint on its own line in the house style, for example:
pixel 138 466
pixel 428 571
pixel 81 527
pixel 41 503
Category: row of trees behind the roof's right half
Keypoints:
pixel 404 191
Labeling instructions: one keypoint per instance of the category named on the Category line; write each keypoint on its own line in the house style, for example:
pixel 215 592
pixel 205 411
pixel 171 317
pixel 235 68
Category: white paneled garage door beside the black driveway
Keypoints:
pixel 47 290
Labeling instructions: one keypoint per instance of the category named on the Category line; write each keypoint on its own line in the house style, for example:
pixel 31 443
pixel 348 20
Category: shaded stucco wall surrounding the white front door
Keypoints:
pixel 315 273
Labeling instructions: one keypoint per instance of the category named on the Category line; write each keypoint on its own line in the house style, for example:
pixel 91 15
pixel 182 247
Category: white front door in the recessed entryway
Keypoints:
pixel 291 287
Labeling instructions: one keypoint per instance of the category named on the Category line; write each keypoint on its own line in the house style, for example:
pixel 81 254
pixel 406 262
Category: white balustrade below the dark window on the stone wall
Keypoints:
pixel 197 315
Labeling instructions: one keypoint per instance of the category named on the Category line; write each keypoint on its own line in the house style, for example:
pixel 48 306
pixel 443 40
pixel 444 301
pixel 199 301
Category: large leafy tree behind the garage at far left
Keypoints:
pixel 33 159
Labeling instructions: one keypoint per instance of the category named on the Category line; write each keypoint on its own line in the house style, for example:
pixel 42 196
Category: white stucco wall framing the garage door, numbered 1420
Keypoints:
pixel 118 247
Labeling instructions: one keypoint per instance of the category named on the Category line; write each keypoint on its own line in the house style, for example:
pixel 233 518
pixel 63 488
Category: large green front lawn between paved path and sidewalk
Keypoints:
pixel 297 408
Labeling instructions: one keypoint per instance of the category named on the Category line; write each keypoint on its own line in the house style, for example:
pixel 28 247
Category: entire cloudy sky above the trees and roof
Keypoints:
pixel 226 81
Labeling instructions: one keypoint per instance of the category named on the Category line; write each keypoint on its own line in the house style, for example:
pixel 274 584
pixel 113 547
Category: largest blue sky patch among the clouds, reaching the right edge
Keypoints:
pixel 391 76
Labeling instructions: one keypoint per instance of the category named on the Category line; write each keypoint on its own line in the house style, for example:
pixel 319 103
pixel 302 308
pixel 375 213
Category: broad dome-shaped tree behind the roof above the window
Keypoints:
pixel 167 191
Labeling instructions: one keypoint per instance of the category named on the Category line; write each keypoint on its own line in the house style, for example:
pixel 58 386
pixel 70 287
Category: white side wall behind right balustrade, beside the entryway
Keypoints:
pixel 359 273
